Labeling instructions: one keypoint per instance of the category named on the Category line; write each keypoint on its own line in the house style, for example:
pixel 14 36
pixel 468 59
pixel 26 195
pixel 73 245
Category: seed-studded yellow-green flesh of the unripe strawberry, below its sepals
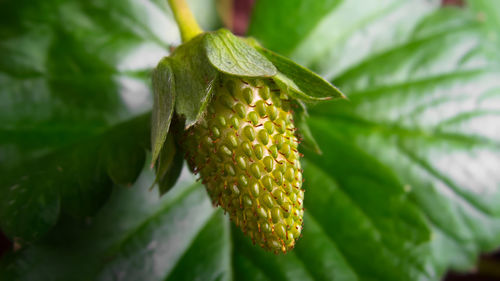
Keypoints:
pixel 245 150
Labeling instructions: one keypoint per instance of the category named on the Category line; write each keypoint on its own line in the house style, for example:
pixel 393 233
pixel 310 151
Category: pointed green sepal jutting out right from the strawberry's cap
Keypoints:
pixel 302 83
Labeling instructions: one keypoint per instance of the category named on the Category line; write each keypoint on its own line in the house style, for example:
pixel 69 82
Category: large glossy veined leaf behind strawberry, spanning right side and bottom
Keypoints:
pixel 406 187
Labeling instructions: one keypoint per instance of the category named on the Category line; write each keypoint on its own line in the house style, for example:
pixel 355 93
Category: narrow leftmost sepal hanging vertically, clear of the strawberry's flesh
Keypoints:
pixel 163 106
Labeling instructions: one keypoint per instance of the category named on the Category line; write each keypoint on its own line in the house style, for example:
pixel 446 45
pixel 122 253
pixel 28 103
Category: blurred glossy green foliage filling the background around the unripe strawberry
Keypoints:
pixel 407 186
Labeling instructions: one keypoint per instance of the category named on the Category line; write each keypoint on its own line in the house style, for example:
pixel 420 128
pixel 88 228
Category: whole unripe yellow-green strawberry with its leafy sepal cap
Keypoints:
pixel 232 101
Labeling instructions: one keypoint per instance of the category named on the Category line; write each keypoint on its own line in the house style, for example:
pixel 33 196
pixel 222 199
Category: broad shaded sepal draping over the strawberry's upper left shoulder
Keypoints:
pixel 194 80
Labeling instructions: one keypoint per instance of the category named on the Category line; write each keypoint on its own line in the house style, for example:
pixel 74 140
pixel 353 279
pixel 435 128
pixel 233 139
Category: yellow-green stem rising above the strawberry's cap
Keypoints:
pixel 188 26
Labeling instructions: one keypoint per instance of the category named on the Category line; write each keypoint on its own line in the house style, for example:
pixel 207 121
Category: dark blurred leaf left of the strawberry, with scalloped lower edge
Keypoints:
pixel 71 72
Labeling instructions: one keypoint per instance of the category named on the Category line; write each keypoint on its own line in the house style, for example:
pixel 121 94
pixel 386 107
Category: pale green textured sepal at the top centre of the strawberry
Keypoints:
pixel 234 56
